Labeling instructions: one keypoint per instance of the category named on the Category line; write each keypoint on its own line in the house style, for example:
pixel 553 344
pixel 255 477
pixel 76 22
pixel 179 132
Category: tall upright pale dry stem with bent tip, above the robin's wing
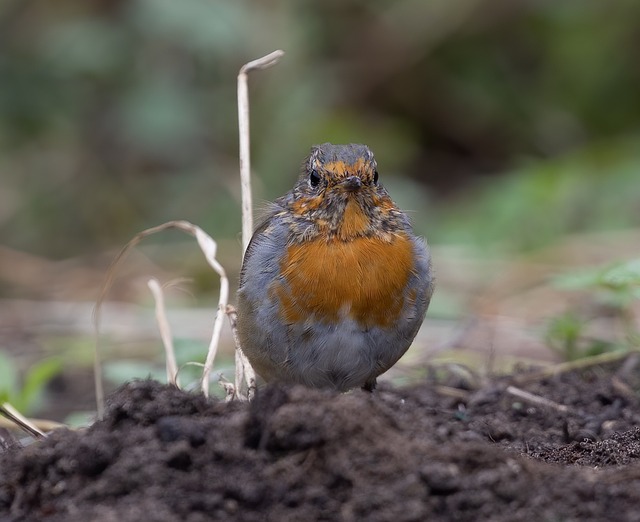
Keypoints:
pixel 243 126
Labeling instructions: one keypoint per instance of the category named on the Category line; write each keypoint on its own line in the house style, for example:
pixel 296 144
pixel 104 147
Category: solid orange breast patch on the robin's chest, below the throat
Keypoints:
pixel 363 279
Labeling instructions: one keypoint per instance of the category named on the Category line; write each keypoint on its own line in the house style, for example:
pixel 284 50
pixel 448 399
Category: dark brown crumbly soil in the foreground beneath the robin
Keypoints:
pixel 423 453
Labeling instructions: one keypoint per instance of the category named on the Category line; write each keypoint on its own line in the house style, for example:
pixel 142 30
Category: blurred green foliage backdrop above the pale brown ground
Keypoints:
pixel 514 121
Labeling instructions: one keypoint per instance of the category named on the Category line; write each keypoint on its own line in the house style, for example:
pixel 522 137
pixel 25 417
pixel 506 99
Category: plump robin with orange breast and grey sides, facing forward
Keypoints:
pixel 334 284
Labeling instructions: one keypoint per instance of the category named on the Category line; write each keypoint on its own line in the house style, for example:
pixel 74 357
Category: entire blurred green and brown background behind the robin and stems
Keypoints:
pixel 509 129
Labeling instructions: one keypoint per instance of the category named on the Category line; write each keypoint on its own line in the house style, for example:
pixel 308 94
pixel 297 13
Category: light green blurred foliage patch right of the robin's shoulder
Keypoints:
pixel 591 189
